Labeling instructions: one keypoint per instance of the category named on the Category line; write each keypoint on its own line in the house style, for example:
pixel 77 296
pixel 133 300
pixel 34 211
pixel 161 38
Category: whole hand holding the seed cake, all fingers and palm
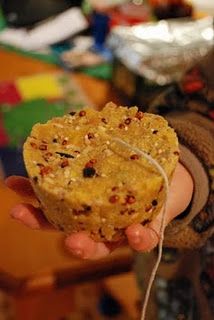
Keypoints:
pixel 140 238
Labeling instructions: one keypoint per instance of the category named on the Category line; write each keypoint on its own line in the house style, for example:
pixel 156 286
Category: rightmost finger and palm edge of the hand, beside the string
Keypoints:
pixel 145 238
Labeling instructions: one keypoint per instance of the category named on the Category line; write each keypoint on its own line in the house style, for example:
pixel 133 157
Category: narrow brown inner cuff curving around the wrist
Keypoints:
pixel 180 232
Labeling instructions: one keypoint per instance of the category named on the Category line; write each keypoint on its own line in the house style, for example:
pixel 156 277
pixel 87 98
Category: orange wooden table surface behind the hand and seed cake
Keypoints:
pixel 26 254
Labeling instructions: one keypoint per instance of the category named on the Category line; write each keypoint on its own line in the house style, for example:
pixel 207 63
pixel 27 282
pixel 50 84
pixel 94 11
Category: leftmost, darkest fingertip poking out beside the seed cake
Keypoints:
pixel 20 185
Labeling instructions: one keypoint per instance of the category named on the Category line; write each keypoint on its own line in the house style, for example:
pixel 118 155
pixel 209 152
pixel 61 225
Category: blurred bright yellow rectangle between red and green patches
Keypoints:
pixel 39 86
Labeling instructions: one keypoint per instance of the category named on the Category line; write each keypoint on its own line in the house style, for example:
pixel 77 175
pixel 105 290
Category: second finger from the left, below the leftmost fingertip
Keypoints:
pixel 30 216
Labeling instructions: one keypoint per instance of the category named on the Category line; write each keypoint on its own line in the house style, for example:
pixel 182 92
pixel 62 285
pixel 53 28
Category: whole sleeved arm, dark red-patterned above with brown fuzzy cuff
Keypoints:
pixel 189 107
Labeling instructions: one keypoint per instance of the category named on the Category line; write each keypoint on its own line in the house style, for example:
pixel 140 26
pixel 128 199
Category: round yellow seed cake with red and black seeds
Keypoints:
pixel 86 180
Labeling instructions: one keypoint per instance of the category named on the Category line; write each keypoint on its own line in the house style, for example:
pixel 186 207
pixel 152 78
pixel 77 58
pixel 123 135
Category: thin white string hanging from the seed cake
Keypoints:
pixel 163 218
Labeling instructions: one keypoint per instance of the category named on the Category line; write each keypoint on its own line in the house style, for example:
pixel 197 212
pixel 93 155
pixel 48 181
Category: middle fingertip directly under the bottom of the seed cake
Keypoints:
pixel 82 246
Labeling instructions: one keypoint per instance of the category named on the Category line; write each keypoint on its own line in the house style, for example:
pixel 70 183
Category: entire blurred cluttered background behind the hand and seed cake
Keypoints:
pixel 57 56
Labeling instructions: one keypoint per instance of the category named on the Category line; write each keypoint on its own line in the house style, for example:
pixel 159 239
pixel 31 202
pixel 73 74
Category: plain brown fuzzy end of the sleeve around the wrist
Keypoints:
pixel 193 227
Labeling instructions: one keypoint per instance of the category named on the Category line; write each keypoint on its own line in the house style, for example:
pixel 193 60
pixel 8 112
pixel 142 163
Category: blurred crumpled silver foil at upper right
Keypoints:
pixel 162 51
